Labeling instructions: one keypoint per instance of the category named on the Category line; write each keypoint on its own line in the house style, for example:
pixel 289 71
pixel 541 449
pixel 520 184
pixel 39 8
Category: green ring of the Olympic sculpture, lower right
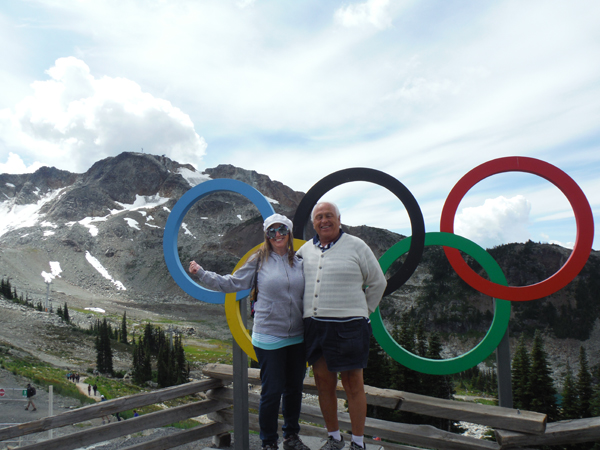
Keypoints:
pixel 476 354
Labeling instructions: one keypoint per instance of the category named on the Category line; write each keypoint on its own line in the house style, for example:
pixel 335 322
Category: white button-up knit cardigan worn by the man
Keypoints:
pixel 334 279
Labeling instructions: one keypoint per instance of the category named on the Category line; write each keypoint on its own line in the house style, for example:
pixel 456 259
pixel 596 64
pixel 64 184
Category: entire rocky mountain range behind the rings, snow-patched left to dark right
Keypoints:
pixel 98 237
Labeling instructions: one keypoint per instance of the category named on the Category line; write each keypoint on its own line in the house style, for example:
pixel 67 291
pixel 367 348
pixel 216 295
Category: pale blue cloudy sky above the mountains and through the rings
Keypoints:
pixel 424 91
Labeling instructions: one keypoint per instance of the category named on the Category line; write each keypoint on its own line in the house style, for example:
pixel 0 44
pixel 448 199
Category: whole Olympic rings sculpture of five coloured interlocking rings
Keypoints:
pixel 497 286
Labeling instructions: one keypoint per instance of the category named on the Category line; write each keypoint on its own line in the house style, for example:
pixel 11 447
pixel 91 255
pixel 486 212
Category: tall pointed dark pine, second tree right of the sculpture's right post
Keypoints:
pixel 541 385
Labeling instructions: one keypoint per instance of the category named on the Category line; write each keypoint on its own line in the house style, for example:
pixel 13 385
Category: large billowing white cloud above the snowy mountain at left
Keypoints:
pixel 74 119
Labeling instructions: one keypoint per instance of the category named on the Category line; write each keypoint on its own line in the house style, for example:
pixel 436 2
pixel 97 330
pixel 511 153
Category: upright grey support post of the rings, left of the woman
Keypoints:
pixel 241 426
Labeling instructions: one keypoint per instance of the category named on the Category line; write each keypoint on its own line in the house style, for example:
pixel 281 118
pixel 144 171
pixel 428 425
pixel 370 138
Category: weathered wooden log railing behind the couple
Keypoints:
pixel 513 428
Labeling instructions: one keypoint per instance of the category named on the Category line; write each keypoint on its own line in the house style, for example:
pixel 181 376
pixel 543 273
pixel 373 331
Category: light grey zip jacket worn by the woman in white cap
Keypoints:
pixel 279 308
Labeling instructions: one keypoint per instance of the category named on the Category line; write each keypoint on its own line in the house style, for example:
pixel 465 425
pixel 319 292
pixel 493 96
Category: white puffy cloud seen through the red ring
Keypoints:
pixel 497 221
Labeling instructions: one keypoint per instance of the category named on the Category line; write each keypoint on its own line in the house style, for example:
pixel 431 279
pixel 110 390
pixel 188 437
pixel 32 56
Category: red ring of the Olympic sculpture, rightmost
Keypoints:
pixel 583 218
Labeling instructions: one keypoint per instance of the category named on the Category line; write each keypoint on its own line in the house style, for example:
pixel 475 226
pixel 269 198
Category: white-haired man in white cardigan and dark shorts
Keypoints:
pixel 343 286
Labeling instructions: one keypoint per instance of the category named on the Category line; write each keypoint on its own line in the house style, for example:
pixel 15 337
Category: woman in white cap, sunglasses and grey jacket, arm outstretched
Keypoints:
pixel 278 332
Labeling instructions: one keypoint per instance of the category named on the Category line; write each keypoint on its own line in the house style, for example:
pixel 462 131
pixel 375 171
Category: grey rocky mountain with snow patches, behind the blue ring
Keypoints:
pixel 113 217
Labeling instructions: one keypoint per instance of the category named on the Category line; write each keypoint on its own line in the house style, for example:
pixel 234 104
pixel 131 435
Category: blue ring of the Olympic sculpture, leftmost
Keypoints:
pixel 175 219
